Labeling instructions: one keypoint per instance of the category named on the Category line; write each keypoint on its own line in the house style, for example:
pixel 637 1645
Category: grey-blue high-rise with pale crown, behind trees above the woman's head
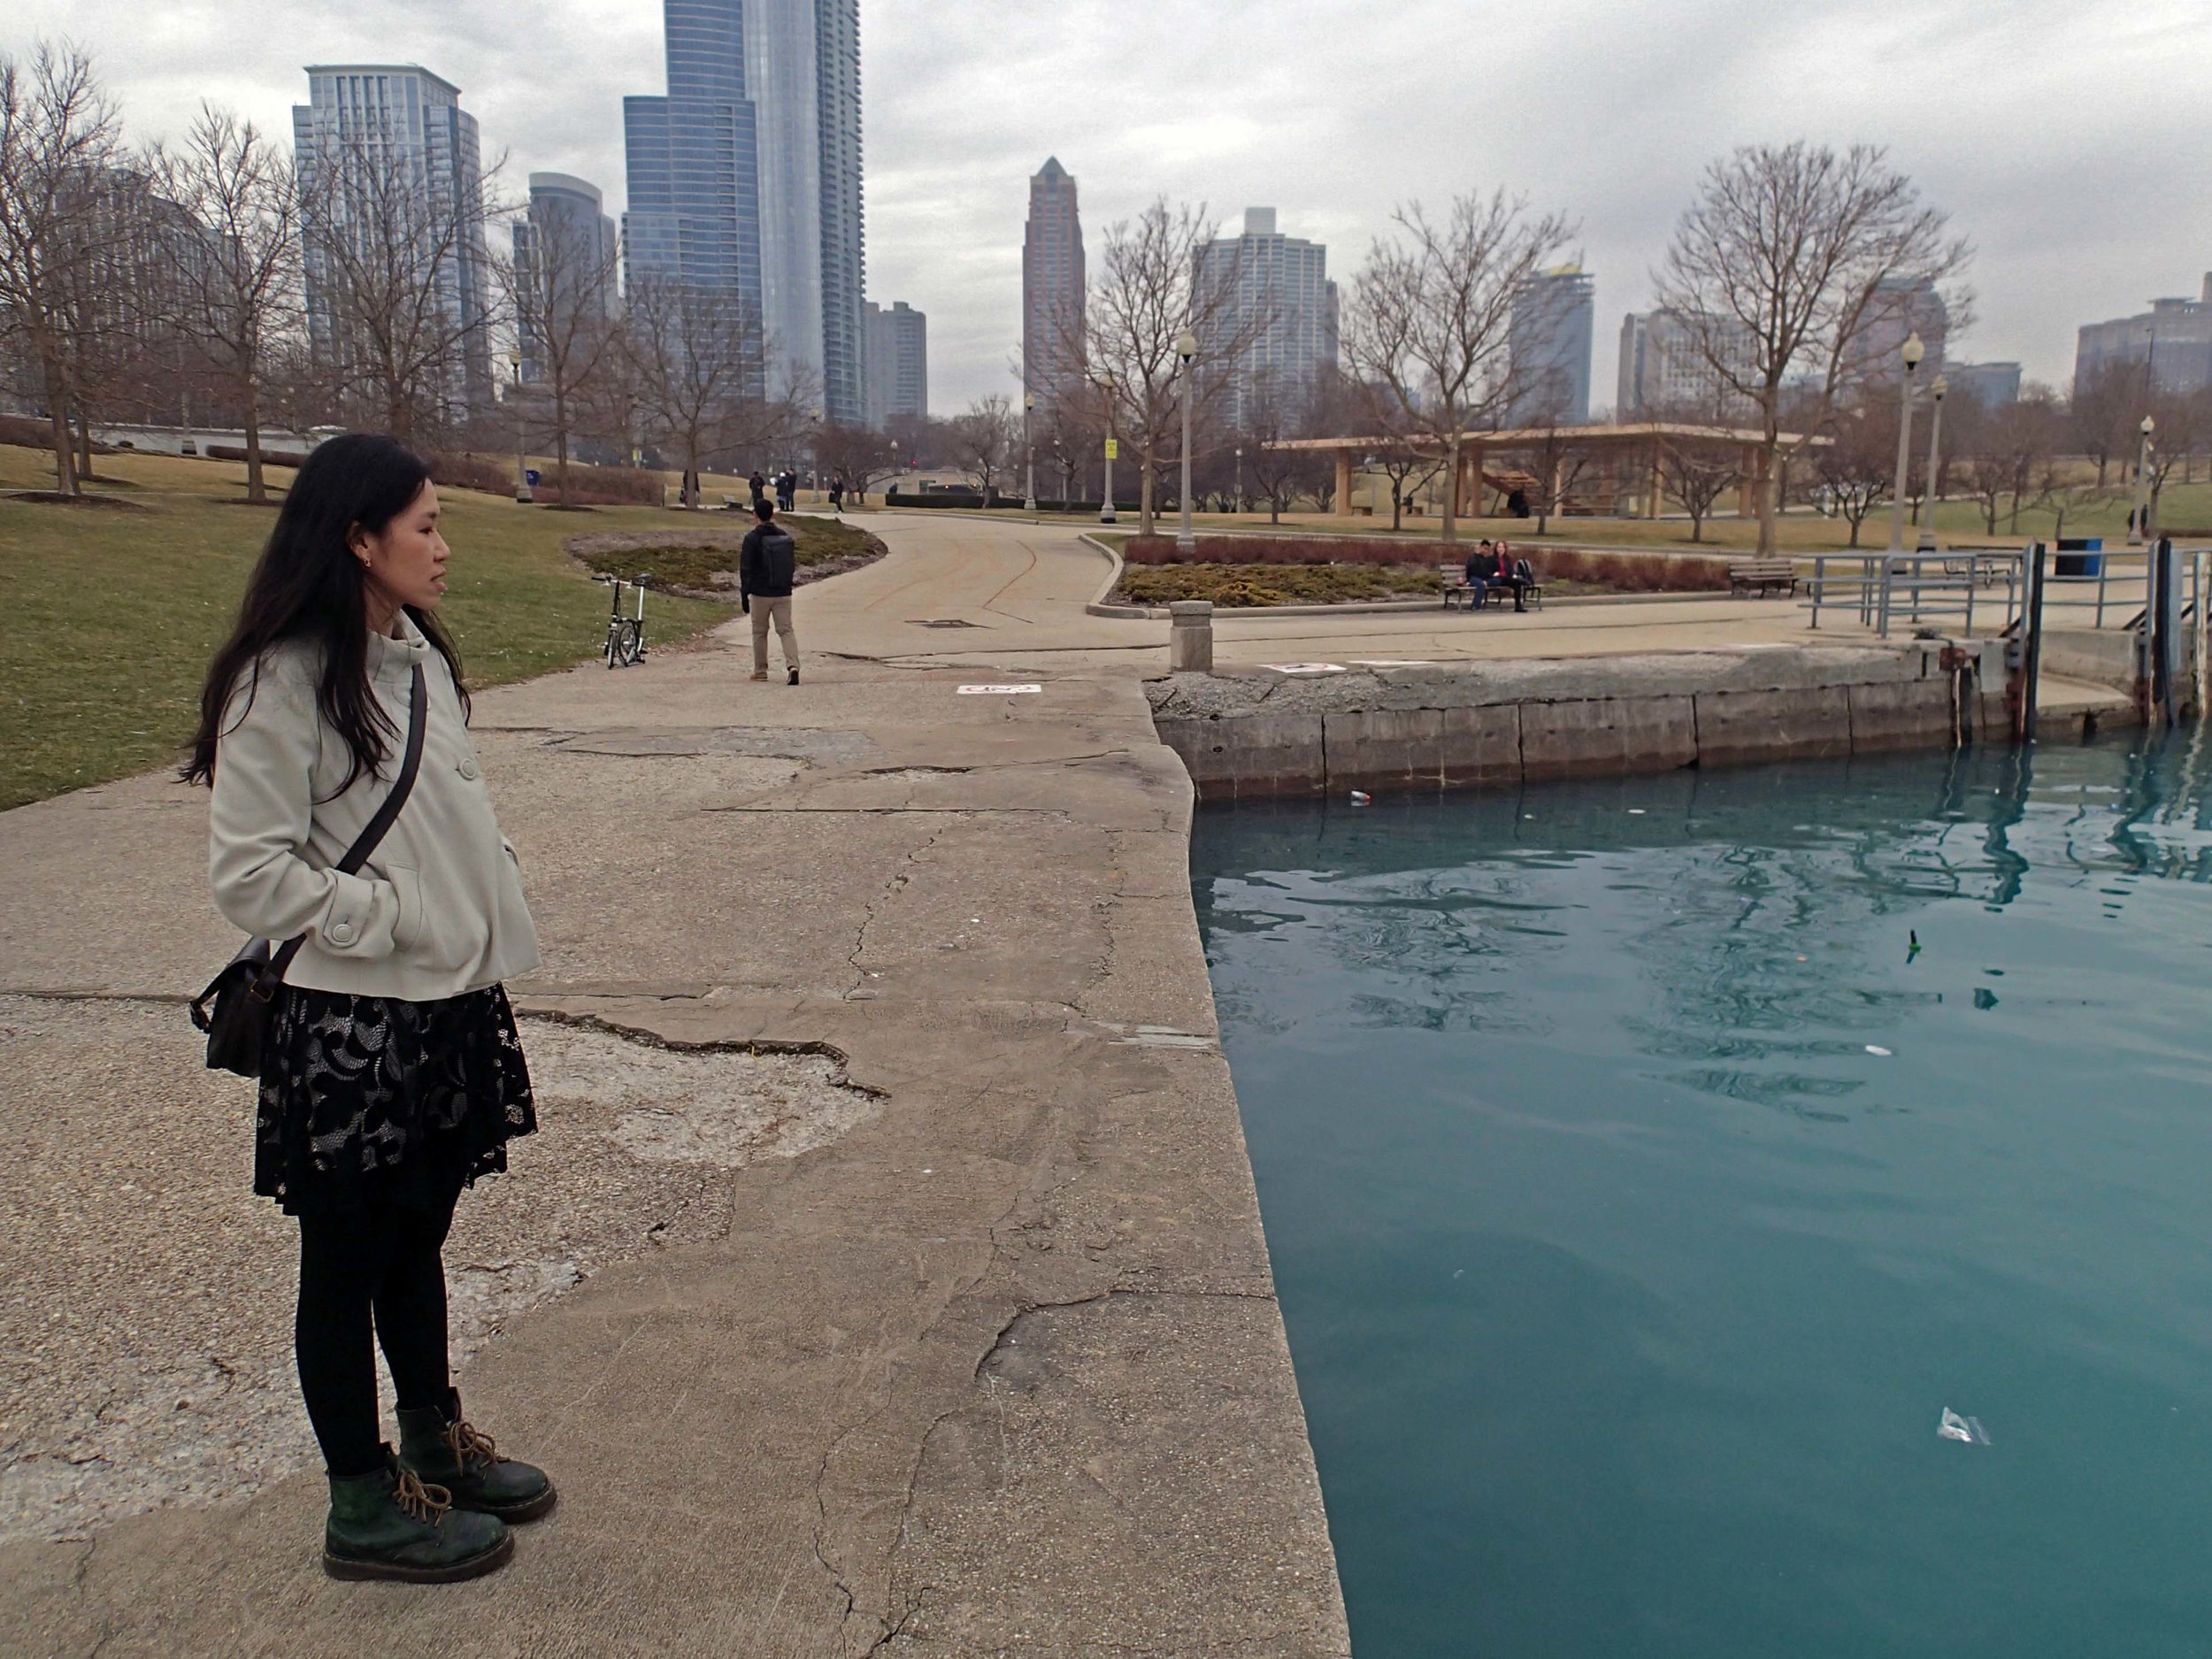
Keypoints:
pixel 397 158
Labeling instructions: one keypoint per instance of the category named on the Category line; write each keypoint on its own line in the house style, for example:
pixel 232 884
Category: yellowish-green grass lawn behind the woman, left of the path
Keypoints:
pixel 109 616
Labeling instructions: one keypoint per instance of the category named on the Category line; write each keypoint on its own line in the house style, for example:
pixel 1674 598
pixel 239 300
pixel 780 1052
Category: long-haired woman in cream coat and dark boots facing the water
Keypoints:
pixel 393 1076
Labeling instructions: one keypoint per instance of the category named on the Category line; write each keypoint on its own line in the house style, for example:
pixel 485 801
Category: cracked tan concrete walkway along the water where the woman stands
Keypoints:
pixel 771 1395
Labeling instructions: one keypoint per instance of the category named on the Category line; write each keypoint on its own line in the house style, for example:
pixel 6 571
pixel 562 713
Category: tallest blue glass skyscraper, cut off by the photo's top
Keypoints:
pixel 747 176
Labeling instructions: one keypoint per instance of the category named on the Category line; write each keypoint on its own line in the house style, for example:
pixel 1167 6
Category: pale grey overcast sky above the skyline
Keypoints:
pixel 2072 140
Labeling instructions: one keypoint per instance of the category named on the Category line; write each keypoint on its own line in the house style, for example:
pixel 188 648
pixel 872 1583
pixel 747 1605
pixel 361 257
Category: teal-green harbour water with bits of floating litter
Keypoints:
pixel 1627 1282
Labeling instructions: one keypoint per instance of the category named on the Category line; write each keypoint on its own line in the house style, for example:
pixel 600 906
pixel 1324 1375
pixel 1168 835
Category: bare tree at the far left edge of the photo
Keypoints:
pixel 59 132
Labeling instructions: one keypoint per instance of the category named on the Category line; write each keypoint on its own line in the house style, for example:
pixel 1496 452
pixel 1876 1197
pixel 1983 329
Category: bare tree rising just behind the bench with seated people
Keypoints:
pixel 1428 324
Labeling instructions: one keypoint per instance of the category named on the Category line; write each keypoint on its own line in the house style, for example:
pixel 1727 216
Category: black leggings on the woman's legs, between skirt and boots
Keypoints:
pixel 357 1271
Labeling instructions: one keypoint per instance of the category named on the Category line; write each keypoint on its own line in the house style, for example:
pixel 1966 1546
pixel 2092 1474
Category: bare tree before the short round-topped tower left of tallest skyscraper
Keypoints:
pixel 559 291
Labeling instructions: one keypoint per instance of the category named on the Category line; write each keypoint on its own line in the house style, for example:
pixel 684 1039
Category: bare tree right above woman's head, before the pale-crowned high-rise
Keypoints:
pixel 397 264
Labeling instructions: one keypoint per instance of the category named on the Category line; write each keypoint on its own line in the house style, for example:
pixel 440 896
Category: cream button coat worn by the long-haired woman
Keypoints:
pixel 437 910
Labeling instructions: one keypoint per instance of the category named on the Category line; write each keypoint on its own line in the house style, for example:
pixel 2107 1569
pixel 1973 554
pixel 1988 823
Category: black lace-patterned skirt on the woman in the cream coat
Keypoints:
pixel 377 1100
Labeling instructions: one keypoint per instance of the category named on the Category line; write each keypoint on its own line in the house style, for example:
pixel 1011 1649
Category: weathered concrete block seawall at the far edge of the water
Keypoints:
pixel 1437 727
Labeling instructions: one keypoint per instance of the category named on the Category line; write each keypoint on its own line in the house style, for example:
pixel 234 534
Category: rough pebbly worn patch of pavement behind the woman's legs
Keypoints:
pixel 145 1344
